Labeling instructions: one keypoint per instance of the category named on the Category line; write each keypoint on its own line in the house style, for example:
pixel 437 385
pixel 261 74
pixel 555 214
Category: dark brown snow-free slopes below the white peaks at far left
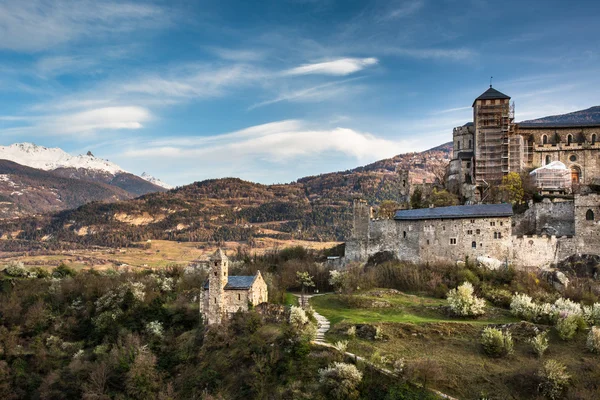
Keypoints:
pixel 26 191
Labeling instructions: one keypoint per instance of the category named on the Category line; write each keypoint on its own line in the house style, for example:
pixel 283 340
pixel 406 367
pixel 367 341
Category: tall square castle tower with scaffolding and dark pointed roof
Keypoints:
pixel 493 119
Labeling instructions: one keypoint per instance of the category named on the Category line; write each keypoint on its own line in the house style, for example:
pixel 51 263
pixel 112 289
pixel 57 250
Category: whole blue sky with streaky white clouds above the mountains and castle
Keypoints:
pixel 274 90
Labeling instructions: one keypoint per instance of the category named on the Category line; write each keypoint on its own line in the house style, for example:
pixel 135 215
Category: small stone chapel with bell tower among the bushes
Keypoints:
pixel 223 295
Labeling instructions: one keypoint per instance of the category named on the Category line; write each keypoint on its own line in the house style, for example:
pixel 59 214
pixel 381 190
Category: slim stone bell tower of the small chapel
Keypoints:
pixel 218 277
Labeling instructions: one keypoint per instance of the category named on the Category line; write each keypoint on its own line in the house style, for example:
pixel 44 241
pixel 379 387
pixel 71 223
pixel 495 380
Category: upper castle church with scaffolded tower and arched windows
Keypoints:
pixel 493 145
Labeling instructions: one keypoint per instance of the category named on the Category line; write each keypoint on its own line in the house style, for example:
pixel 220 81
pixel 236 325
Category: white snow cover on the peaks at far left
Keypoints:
pixel 49 159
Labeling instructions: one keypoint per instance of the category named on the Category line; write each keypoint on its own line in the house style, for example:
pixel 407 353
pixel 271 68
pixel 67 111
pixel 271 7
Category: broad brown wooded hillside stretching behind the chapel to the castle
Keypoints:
pixel 313 208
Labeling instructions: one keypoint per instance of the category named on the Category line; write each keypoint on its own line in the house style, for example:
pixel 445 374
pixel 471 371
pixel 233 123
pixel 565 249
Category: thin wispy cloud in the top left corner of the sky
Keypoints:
pixel 35 25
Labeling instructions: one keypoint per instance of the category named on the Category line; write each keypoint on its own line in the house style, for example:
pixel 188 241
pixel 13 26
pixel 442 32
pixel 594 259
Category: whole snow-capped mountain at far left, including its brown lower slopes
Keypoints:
pixel 38 179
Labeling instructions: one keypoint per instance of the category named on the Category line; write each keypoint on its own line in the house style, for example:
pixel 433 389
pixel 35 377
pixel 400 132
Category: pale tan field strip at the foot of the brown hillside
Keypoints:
pixel 160 254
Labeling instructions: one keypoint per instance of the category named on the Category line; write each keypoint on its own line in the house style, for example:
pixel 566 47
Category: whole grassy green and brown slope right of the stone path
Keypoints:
pixel 418 330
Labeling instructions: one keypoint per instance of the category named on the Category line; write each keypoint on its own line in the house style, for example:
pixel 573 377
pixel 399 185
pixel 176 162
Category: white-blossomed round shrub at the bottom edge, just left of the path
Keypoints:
pixel 340 381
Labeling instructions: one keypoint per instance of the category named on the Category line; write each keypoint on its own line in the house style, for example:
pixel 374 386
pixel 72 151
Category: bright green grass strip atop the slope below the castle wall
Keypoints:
pixel 403 308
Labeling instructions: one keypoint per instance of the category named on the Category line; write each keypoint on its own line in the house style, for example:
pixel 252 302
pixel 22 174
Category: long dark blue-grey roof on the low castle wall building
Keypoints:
pixel 453 212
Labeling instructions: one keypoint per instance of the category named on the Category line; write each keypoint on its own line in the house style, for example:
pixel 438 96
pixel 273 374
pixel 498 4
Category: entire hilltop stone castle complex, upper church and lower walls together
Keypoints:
pixel 484 151
